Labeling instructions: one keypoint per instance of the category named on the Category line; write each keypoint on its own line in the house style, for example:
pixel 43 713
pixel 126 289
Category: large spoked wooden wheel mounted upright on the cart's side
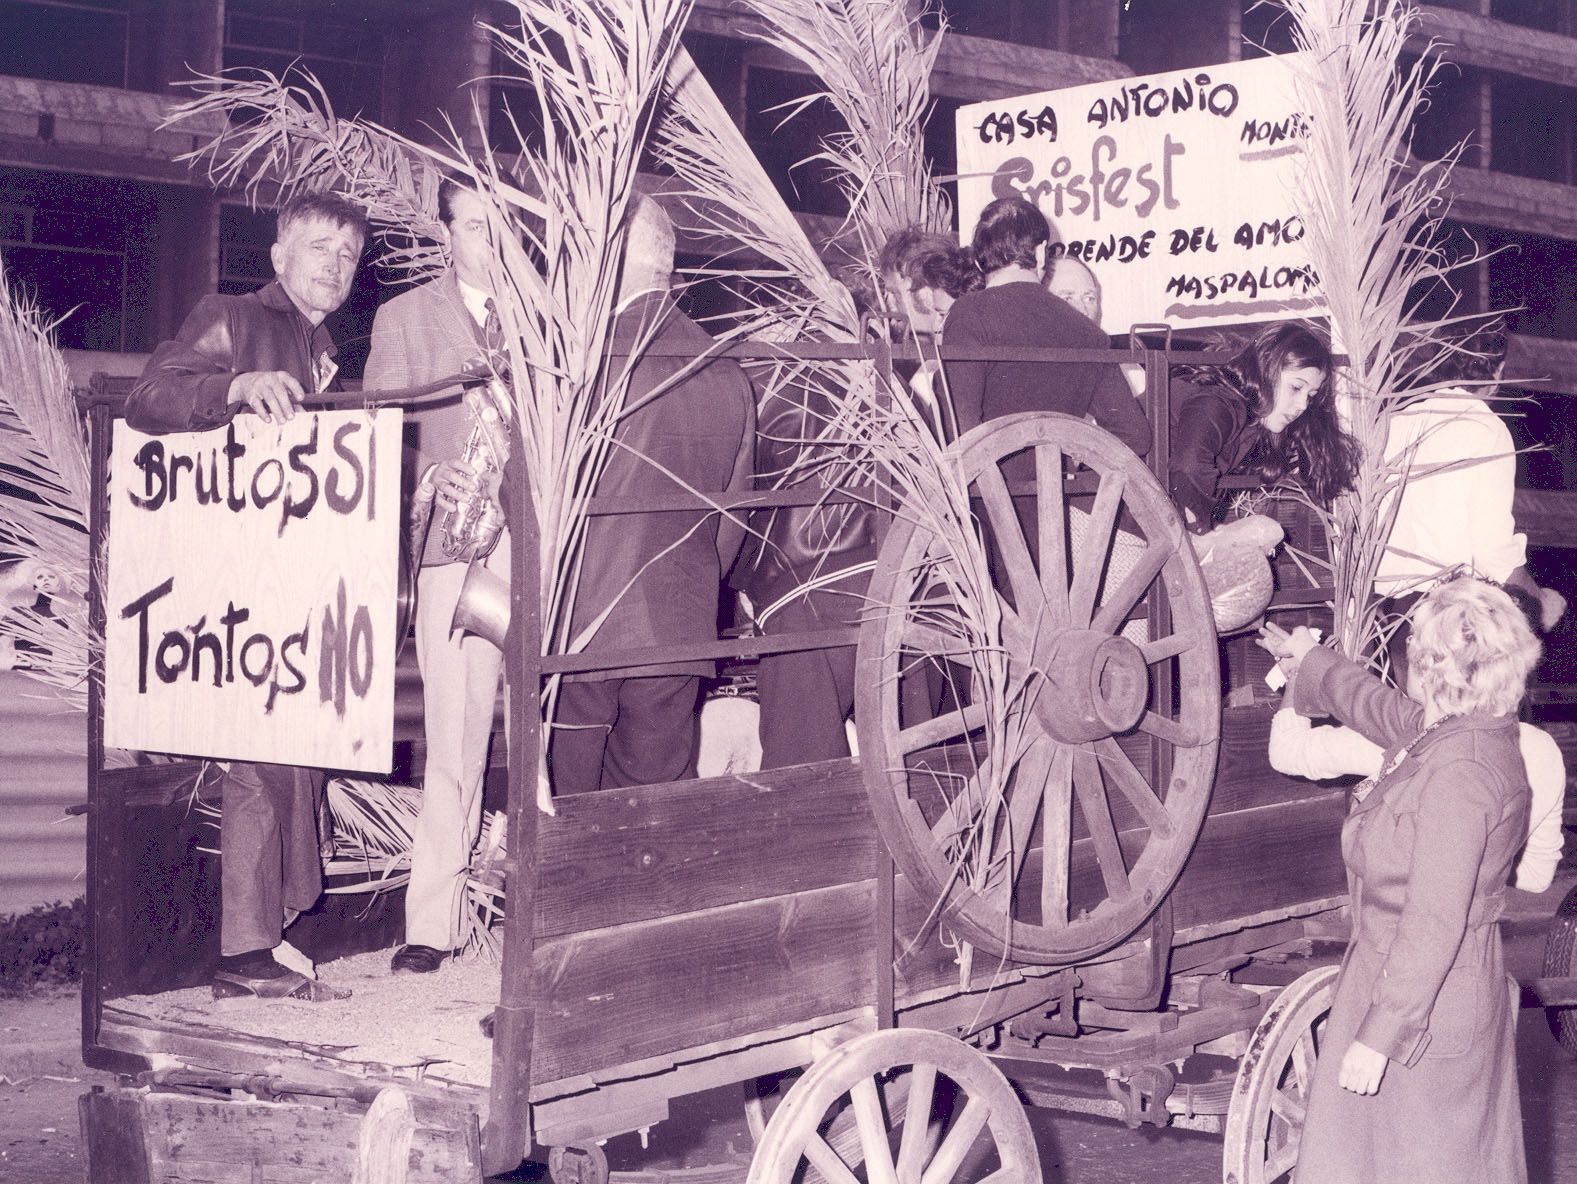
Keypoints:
pixel 1053 814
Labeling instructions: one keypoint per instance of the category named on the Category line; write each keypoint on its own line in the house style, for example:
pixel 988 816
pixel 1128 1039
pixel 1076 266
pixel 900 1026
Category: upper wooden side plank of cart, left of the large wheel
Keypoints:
pixel 668 851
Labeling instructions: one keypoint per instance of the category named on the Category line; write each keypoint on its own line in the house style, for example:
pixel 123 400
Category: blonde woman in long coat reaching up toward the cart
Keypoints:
pixel 1417 1076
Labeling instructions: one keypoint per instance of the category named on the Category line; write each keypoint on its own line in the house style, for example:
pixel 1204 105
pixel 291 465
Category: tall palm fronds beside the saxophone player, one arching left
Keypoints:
pixel 556 214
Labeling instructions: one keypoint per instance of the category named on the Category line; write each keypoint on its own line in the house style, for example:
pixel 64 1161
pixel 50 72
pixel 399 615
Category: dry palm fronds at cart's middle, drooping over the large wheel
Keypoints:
pixel 870 441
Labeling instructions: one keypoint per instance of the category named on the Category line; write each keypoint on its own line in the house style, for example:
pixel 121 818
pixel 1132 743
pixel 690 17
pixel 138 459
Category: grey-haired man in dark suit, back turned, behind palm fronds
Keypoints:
pixel 687 426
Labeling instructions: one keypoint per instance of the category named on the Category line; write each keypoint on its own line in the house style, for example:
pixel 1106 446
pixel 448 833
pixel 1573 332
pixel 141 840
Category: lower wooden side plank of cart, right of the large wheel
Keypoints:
pixel 1262 860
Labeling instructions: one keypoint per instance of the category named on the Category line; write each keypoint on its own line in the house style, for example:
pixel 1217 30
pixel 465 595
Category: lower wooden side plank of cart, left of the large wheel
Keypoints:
pixel 619 996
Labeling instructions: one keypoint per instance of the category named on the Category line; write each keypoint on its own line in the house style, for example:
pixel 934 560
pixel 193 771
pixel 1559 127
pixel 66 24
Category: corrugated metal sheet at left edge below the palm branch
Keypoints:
pixel 43 770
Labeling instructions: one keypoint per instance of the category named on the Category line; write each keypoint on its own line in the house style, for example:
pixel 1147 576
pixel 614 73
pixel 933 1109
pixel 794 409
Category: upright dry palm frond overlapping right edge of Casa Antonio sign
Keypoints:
pixel 1373 217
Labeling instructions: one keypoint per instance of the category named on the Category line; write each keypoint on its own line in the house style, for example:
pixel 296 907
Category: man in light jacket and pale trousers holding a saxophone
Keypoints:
pixel 420 337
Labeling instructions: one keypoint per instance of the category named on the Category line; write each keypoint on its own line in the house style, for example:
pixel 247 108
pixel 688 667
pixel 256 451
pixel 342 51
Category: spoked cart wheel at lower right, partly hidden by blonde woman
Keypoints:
pixel 1272 1093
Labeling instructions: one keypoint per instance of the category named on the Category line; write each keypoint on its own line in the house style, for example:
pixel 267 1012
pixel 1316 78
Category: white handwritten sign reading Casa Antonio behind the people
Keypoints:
pixel 1174 190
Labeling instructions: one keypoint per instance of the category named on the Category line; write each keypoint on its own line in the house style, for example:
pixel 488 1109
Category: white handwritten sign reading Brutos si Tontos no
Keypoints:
pixel 250 606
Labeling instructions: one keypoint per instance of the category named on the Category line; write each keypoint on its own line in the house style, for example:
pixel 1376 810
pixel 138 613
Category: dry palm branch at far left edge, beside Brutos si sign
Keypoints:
pixel 45 496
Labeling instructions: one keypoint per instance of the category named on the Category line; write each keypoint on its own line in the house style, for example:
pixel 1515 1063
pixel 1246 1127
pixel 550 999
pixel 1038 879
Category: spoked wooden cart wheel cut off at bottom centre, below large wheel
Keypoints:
pixel 958 1122
